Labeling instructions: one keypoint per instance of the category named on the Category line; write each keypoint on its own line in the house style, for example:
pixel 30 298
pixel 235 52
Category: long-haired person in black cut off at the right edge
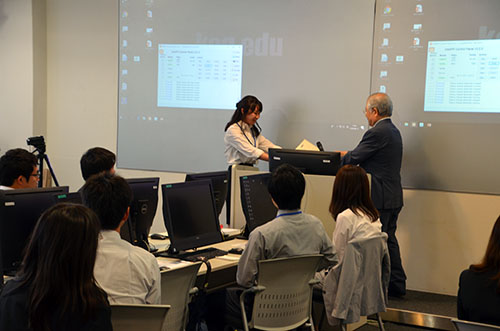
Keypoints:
pixel 479 287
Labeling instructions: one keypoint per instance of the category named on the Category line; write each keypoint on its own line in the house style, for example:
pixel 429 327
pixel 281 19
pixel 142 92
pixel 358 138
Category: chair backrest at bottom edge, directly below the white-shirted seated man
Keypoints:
pixel 138 317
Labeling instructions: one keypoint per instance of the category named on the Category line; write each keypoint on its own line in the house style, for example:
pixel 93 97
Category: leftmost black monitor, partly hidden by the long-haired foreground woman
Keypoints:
pixel 19 212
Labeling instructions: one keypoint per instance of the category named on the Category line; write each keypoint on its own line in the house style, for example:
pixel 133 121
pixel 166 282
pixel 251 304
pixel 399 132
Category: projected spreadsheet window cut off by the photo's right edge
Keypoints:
pixel 463 76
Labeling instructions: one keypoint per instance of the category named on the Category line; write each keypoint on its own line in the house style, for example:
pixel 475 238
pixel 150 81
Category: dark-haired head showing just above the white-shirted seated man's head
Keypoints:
pixel 97 160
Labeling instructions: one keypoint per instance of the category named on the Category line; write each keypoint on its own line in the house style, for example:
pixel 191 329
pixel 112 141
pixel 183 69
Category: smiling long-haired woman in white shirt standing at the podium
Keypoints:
pixel 243 139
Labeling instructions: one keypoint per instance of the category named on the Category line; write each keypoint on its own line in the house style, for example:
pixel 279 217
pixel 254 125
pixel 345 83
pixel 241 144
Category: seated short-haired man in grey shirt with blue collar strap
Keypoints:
pixel 291 233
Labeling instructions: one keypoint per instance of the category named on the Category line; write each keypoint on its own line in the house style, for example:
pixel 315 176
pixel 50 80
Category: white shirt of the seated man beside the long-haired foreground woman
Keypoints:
pixel 129 274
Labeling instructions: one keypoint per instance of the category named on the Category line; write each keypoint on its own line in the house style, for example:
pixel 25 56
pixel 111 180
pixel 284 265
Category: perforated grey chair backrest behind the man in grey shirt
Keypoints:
pixel 286 301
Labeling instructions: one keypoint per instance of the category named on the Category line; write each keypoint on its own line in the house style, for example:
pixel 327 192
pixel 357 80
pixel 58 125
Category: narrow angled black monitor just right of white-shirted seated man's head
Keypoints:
pixel 142 211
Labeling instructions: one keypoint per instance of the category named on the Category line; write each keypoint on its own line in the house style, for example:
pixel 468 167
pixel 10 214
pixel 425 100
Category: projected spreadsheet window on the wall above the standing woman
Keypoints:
pixel 199 76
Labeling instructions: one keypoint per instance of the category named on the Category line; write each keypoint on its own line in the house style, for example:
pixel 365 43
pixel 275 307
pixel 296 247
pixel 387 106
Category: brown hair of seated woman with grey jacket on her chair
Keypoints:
pixel 352 191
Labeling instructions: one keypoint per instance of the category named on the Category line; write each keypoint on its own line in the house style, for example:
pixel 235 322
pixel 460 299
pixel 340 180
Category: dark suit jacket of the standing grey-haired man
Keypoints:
pixel 380 153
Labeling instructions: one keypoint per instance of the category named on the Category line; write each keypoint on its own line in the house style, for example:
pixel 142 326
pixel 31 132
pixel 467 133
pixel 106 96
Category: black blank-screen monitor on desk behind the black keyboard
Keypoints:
pixel 189 215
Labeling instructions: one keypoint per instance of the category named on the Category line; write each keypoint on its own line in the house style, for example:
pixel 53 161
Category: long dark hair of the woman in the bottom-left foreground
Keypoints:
pixel 58 267
